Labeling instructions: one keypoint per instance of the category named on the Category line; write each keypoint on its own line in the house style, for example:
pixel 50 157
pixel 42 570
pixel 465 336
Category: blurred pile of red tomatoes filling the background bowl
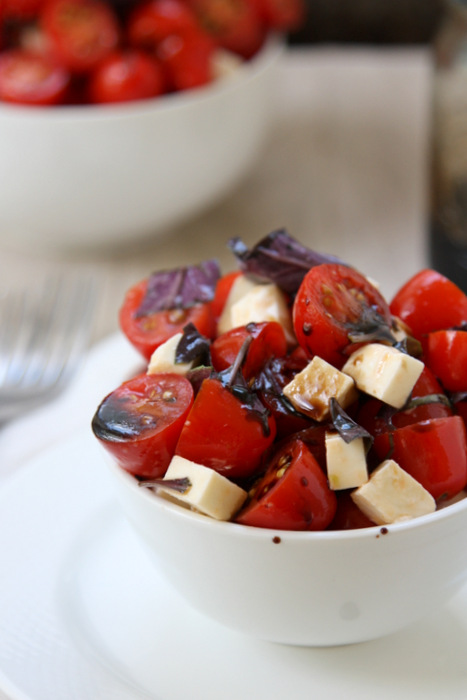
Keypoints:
pixel 104 51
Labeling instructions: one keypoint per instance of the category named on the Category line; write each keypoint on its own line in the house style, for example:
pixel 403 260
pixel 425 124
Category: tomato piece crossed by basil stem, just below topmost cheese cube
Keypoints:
pixel 268 340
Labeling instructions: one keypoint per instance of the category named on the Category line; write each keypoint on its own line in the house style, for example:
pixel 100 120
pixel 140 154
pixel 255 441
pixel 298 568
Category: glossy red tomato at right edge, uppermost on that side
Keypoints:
pixel 429 302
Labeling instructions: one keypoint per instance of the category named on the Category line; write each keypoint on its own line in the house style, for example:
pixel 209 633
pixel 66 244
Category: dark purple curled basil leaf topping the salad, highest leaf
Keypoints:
pixel 278 258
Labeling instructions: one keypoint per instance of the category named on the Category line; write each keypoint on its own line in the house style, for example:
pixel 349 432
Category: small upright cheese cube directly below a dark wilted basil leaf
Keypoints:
pixel 345 462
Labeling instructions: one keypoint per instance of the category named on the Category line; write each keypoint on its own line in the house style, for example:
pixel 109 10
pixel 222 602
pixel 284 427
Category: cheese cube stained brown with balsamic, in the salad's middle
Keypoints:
pixel 312 389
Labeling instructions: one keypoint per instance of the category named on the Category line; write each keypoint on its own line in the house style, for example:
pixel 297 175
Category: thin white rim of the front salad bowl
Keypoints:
pixel 446 512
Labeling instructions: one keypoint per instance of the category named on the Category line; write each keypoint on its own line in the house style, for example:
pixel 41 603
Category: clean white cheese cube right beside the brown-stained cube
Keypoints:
pixel 384 372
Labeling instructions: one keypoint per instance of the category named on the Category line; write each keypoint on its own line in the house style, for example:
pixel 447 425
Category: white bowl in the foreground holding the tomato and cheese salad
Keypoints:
pixel 302 588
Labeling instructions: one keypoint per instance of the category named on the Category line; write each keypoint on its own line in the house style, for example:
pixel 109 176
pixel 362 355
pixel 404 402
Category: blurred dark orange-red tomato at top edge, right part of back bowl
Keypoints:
pixel 234 24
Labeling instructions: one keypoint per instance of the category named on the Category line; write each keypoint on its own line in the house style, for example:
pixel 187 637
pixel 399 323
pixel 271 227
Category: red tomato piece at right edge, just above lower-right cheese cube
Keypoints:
pixel 434 452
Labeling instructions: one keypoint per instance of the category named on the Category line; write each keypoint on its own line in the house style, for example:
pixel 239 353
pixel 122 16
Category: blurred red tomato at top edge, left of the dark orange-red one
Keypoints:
pixel 151 22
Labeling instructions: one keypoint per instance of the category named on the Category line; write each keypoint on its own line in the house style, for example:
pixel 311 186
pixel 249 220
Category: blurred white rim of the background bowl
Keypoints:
pixel 247 71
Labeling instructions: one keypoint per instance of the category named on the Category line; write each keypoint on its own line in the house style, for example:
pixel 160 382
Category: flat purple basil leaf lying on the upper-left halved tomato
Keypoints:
pixel 180 288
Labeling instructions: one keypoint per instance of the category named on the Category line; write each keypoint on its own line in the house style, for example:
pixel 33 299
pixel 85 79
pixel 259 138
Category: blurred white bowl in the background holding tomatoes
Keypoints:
pixel 97 176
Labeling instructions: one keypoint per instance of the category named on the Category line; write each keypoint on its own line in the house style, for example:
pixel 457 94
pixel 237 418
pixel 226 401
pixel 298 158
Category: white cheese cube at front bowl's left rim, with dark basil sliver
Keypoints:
pixel 209 493
